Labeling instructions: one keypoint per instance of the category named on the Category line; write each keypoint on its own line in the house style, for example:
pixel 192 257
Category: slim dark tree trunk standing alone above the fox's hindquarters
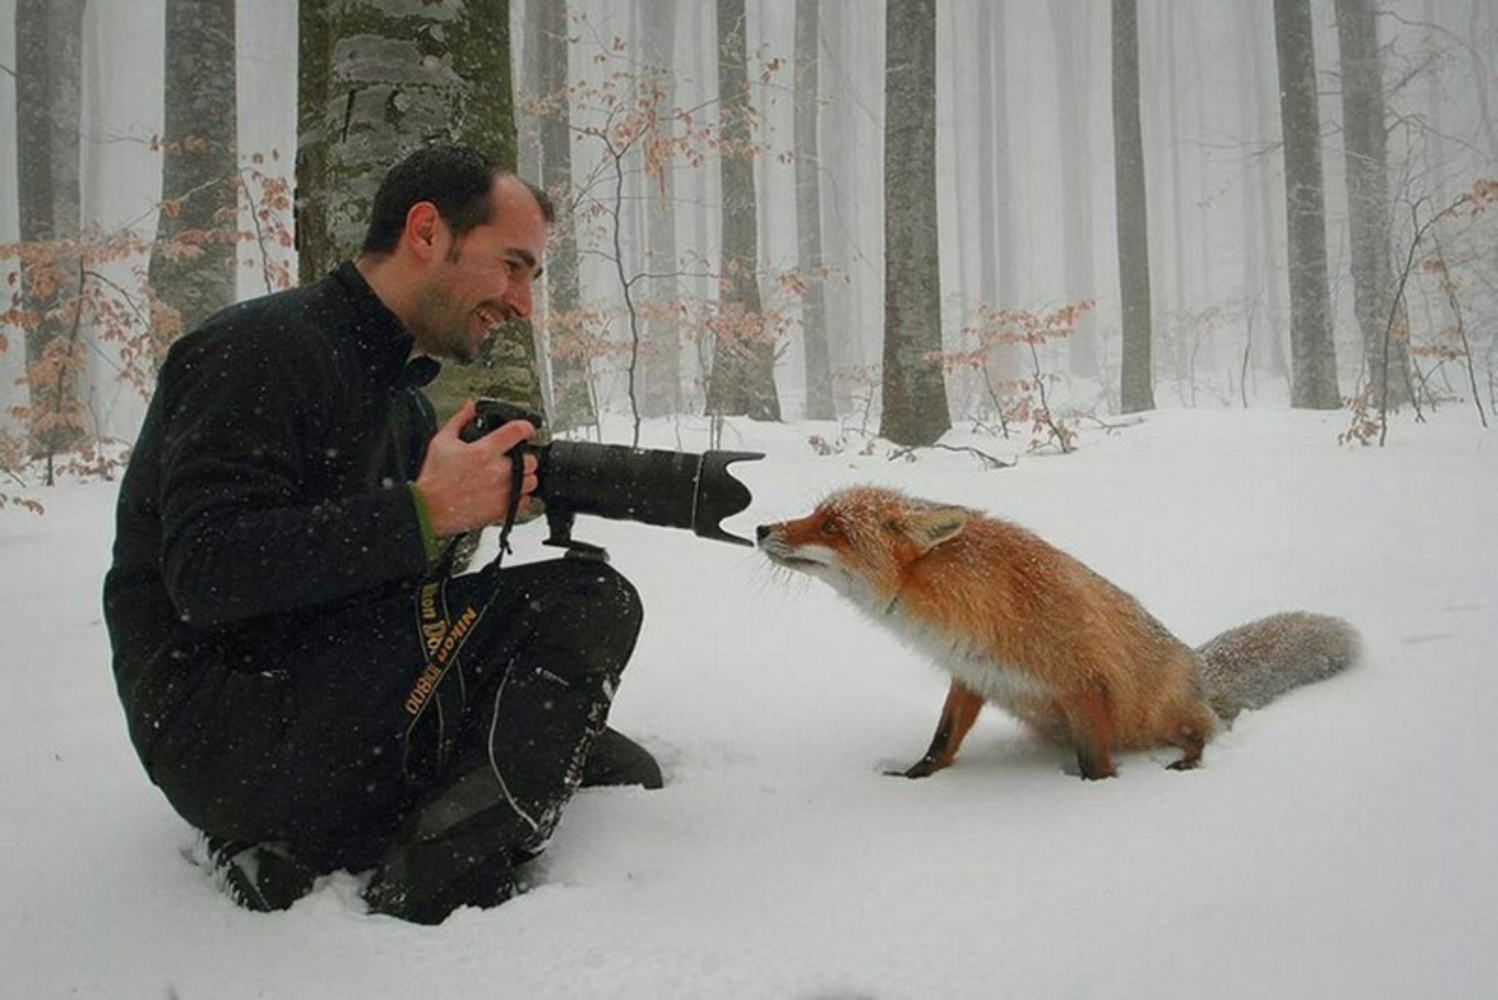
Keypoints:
pixel 1138 382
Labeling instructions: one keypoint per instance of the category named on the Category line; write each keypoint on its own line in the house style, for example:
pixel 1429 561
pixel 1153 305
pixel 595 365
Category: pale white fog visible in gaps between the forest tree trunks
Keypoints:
pixel 1211 126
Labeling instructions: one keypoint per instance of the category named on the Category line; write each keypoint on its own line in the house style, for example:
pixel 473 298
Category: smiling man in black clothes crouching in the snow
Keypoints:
pixel 300 679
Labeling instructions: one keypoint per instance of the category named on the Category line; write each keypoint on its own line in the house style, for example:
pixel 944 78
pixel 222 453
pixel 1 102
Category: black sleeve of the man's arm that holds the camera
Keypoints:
pixel 249 435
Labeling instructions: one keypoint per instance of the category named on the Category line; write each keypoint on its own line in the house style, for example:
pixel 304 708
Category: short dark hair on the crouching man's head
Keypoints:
pixel 456 179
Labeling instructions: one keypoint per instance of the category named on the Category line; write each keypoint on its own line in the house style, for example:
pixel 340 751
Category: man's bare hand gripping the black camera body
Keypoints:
pixel 467 484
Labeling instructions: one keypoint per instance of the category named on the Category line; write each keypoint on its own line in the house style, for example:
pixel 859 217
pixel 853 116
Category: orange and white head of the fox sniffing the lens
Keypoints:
pixel 861 540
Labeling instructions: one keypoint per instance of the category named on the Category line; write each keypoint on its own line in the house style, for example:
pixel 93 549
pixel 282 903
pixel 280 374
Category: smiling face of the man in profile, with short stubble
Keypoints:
pixel 483 278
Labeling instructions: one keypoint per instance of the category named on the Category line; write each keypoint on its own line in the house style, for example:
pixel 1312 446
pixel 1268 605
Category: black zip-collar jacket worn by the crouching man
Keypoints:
pixel 267 489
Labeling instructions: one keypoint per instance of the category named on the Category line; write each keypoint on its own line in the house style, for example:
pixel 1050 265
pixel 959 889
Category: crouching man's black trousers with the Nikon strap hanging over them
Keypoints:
pixel 357 737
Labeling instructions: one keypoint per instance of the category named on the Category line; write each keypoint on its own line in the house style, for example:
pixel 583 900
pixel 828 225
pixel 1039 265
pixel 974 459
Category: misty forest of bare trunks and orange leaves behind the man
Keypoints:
pixel 1018 219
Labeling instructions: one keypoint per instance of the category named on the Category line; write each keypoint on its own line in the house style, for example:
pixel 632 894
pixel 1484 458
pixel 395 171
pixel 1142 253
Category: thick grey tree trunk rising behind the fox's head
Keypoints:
pixel 915 381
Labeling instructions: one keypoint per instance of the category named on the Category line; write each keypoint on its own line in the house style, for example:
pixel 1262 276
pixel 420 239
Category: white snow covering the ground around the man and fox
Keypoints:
pixel 1343 842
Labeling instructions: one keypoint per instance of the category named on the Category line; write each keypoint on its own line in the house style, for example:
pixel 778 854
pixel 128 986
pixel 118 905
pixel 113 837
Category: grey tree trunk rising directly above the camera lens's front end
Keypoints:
pixel 742 382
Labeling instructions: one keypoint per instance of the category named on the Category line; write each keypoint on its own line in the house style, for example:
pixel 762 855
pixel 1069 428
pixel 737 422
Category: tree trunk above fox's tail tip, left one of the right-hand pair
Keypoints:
pixel 1313 351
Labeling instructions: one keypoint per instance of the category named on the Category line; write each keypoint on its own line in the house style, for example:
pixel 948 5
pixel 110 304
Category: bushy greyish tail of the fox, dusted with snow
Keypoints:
pixel 1252 665
